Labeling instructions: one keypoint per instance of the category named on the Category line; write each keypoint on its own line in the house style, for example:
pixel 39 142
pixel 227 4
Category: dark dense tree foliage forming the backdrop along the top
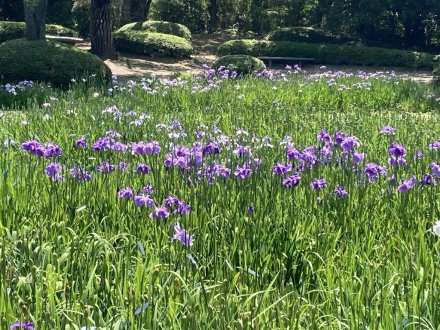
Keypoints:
pixel 393 23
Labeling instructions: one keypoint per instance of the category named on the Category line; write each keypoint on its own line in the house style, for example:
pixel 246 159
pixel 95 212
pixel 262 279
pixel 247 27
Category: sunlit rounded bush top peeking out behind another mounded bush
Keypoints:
pixel 159 27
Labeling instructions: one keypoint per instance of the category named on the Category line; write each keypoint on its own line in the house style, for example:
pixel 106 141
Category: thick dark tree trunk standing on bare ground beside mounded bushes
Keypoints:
pixel 101 24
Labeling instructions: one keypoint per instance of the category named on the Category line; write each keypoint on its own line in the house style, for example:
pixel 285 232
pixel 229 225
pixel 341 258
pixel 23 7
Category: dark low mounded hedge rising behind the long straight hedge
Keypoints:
pixel 307 34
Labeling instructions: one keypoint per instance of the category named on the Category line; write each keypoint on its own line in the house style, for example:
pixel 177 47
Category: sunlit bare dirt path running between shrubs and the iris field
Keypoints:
pixel 205 47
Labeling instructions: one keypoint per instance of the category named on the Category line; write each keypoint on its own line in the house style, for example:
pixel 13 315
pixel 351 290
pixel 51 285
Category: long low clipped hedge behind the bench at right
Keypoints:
pixel 330 54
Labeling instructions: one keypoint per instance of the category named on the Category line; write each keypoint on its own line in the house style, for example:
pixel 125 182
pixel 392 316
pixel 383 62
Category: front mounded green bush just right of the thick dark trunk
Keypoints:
pixel 152 44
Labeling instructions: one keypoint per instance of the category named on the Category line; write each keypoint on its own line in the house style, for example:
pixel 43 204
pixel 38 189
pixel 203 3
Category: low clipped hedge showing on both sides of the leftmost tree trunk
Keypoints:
pixel 17 30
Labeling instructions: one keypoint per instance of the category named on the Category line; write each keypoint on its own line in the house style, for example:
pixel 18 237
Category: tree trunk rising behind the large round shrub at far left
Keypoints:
pixel 35 16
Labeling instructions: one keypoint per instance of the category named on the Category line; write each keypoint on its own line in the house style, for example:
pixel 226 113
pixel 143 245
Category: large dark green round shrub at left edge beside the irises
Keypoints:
pixel 49 62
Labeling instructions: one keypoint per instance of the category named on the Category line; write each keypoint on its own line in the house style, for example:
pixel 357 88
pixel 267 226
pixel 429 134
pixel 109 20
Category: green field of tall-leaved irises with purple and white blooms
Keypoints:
pixel 283 201
